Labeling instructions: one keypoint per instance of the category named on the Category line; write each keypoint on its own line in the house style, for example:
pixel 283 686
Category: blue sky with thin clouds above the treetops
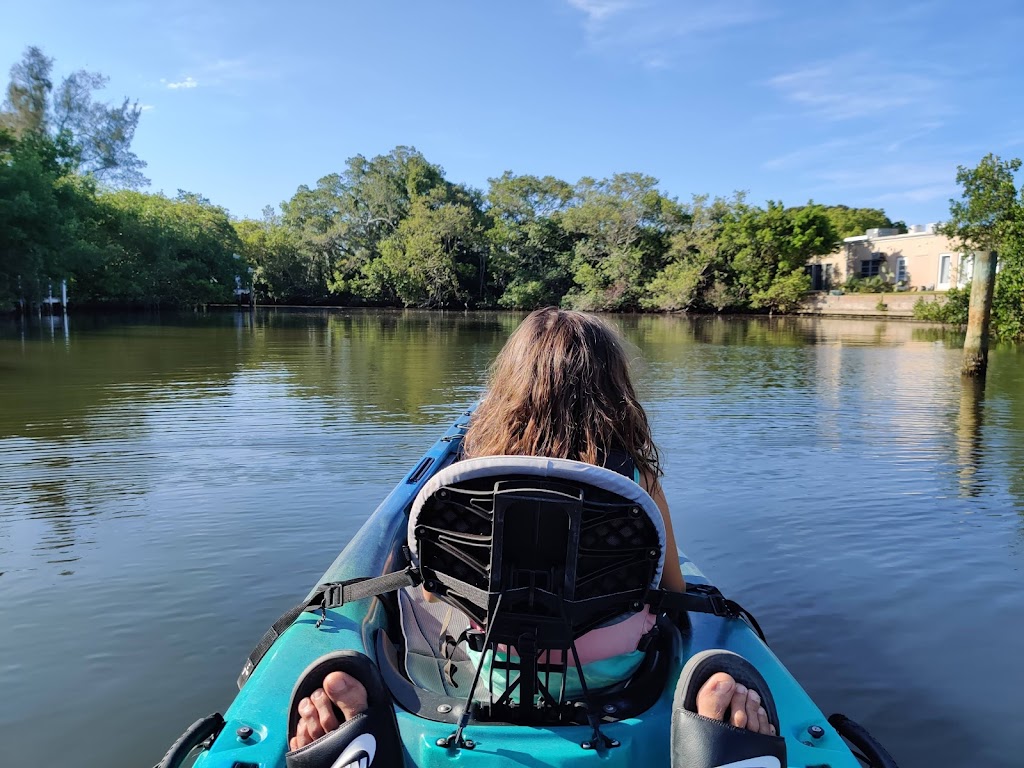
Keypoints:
pixel 867 104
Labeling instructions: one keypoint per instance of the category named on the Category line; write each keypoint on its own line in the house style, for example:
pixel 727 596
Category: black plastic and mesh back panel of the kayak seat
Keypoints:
pixel 538 560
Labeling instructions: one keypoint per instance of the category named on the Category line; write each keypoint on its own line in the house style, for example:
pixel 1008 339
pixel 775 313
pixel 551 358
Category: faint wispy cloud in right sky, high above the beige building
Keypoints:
pixel 860 86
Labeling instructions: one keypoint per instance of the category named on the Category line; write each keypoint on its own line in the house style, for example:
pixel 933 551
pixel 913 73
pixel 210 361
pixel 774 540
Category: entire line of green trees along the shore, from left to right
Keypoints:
pixel 389 231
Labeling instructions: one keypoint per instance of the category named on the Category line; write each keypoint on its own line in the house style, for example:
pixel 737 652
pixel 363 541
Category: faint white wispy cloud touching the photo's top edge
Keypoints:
pixel 653 32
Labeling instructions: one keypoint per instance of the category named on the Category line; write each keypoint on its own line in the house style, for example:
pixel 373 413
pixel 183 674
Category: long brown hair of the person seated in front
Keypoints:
pixel 561 388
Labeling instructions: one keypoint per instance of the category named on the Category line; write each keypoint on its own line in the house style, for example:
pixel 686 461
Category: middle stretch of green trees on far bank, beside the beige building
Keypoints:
pixel 395 231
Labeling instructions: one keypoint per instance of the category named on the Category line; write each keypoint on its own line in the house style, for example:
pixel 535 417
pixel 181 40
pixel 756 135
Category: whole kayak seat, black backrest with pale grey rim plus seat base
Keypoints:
pixel 529 559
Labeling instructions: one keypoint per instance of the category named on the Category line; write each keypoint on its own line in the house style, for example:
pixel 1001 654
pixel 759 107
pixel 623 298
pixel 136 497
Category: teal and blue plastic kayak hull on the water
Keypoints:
pixel 253 731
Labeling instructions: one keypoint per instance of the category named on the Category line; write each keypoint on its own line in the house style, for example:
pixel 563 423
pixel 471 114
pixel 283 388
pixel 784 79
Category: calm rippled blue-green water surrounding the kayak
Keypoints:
pixel 168 487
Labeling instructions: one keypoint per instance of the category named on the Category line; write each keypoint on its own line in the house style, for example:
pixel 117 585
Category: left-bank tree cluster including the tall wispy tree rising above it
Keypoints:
pixel 70 208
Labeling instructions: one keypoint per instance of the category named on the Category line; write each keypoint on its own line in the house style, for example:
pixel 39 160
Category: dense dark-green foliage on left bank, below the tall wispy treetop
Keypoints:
pixel 120 247
